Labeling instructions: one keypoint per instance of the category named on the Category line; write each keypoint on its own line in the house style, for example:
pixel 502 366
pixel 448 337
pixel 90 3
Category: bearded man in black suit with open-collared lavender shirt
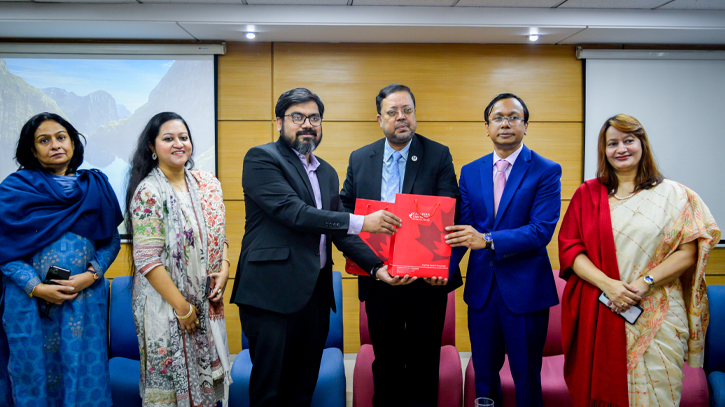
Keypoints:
pixel 283 284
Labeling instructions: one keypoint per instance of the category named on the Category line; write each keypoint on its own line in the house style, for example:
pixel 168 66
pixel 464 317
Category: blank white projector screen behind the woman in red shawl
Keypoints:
pixel 679 103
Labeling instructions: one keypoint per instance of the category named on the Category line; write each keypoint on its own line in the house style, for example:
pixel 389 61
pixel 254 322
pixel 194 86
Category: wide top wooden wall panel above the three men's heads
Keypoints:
pixel 452 82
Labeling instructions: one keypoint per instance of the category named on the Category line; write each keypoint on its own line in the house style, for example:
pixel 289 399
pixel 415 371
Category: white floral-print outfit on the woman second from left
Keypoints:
pixel 186 236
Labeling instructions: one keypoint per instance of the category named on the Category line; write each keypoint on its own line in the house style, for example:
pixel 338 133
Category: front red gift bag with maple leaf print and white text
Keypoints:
pixel 418 248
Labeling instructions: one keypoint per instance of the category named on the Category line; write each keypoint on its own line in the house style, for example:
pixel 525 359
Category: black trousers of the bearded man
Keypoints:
pixel 286 350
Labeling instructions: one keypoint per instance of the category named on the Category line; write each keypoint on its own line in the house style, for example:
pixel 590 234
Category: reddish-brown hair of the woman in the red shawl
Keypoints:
pixel 648 175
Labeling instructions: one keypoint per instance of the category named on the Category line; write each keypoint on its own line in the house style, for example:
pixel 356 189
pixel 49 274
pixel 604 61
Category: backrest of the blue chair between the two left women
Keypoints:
pixel 123 341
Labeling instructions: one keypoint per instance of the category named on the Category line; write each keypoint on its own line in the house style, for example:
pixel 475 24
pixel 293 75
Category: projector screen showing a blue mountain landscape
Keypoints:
pixel 109 99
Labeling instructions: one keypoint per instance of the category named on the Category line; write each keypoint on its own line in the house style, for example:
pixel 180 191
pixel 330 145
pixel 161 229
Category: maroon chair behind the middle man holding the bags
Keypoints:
pixel 450 379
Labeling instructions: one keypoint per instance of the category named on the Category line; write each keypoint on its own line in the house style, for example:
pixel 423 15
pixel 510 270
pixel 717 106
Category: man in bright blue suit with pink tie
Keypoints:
pixel 510 203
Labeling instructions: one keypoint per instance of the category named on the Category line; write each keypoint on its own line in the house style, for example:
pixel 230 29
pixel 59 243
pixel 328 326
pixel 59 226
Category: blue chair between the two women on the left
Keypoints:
pixel 124 365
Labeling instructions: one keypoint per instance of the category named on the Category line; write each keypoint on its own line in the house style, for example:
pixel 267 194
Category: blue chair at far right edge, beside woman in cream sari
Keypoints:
pixel 714 348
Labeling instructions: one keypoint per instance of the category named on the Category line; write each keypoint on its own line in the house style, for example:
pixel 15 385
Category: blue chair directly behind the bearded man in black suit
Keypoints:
pixel 330 389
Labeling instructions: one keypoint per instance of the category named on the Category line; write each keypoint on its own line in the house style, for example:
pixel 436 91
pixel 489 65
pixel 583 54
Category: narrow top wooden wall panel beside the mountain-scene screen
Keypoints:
pixel 245 82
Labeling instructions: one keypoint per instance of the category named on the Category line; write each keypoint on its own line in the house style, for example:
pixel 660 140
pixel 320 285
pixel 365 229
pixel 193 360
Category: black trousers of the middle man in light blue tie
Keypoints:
pixel 406 325
